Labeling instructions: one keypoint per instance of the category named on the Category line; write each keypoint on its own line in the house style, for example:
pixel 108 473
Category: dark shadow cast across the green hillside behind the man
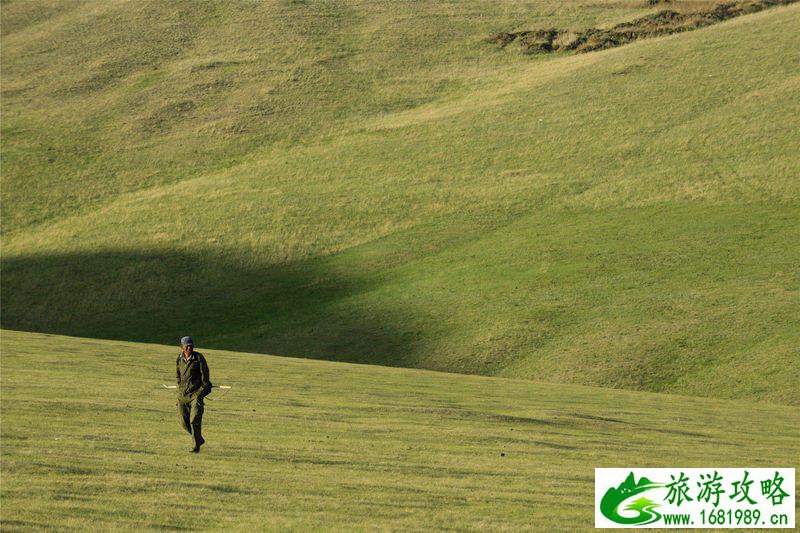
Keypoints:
pixel 299 310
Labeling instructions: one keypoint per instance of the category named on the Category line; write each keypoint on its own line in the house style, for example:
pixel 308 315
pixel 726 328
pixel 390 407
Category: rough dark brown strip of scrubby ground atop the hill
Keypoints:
pixel 662 23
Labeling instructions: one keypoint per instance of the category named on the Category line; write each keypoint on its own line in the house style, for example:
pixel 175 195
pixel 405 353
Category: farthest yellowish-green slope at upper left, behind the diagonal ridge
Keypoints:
pixel 107 97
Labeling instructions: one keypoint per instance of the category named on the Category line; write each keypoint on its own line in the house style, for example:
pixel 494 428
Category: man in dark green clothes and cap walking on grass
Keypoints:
pixel 194 384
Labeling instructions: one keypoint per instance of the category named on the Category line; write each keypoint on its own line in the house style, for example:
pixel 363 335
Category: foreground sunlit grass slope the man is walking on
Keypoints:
pixel 299 444
